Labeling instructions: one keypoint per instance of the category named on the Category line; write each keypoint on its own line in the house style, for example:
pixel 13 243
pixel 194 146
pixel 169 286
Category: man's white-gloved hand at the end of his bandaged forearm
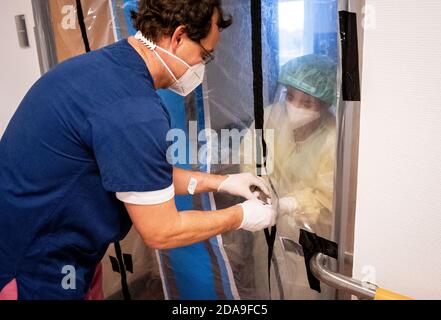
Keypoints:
pixel 241 184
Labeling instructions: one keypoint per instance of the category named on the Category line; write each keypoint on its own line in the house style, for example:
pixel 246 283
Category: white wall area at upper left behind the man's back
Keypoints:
pixel 19 67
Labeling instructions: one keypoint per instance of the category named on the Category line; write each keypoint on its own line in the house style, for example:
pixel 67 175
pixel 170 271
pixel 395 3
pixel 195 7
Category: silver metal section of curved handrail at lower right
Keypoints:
pixel 340 282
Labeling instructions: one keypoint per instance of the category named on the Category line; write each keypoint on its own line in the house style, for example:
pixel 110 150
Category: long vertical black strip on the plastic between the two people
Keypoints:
pixel 256 26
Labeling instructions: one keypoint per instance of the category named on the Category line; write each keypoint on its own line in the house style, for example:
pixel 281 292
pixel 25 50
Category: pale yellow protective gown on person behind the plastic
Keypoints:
pixel 301 166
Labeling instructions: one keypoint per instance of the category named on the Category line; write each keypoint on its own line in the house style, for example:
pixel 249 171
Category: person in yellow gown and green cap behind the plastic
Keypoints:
pixel 301 138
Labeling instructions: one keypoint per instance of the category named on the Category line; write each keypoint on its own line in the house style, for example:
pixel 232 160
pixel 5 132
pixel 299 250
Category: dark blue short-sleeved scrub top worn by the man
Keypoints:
pixel 91 127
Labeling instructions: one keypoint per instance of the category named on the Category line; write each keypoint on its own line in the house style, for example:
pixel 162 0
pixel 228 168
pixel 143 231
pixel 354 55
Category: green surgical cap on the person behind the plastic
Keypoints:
pixel 312 74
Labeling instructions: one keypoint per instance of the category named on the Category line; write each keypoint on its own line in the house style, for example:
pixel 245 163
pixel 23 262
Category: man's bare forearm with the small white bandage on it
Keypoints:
pixel 205 182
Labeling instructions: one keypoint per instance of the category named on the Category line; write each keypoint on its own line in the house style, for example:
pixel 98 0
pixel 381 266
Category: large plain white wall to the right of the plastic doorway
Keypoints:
pixel 398 223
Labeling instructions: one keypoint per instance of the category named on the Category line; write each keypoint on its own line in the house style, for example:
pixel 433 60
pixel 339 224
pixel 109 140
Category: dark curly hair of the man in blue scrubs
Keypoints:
pixel 158 18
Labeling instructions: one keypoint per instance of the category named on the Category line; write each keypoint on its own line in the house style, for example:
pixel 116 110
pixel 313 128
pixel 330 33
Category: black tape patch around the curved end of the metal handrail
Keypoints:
pixel 312 244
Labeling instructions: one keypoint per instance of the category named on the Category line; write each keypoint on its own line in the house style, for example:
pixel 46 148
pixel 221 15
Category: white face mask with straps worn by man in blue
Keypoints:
pixel 191 79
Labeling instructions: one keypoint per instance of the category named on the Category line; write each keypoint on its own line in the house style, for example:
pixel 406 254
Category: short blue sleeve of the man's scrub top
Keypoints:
pixel 130 145
